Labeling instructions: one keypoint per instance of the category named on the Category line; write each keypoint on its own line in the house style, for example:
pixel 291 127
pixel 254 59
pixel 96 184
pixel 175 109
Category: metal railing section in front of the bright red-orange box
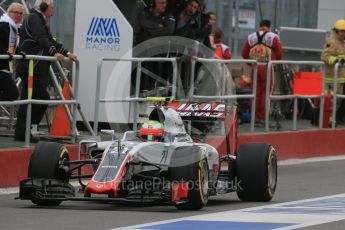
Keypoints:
pixel 294 97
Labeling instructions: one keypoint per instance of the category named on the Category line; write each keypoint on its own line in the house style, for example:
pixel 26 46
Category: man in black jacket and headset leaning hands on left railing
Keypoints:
pixel 36 39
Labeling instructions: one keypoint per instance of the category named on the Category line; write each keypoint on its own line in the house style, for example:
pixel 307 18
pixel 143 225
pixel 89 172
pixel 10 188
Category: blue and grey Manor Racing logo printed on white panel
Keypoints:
pixel 103 35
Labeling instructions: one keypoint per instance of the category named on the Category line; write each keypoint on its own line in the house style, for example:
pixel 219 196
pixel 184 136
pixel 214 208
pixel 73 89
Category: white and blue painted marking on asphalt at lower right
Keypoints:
pixel 294 214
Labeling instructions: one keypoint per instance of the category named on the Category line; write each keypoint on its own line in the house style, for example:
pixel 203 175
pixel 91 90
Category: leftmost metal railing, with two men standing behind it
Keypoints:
pixel 30 102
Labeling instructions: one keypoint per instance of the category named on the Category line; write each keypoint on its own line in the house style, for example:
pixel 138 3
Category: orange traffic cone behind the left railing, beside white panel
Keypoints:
pixel 61 125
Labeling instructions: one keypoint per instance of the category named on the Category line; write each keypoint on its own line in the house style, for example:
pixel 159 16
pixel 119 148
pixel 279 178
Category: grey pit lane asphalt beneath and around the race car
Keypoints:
pixel 295 182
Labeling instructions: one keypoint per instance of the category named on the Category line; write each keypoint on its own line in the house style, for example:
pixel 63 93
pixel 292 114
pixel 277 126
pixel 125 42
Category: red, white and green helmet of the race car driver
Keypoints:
pixel 152 131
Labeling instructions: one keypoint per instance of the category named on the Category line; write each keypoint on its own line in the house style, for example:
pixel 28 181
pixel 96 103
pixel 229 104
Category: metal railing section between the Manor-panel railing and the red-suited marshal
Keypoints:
pixel 227 97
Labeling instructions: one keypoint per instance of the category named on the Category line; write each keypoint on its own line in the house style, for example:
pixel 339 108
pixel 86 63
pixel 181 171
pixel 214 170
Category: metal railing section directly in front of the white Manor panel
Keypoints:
pixel 139 62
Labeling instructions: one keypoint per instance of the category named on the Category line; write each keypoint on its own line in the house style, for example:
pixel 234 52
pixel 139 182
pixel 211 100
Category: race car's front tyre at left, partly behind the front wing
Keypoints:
pixel 46 163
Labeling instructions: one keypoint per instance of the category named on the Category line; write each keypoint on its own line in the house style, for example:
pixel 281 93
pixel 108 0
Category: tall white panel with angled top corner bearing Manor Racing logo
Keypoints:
pixel 101 30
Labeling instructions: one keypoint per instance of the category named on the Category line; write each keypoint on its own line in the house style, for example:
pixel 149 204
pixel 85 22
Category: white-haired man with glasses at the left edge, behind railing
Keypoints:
pixel 8 45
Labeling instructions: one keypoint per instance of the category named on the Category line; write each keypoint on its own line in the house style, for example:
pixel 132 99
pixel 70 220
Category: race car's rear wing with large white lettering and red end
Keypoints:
pixel 199 110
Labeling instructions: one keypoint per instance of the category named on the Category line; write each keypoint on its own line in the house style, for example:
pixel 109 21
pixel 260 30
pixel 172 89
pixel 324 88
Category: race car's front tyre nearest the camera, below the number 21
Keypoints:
pixel 194 170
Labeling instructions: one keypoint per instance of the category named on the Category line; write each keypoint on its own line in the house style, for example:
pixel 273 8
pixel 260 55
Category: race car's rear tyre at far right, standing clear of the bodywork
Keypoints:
pixel 256 171
